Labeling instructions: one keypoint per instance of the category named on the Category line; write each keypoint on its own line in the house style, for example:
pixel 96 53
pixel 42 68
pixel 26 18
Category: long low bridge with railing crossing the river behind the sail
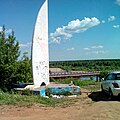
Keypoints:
pixel 75 74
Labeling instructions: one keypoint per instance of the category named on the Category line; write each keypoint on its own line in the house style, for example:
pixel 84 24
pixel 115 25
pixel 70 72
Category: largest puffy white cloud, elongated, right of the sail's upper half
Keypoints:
pixel 75 26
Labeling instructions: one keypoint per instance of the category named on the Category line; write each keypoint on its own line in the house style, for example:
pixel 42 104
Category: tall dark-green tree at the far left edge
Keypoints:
pixel 9 53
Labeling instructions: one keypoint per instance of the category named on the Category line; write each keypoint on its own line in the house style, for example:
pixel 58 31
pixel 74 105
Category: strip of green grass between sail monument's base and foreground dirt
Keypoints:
pixel 24 100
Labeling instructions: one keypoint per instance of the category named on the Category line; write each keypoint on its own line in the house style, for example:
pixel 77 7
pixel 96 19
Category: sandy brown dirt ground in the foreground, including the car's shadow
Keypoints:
pixel 91 106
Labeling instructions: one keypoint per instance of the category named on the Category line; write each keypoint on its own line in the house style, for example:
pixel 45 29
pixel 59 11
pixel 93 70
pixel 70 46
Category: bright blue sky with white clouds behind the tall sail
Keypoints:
pixel 78 29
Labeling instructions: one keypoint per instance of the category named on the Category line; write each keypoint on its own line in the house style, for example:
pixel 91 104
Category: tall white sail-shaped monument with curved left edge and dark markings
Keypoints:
pixel 40 55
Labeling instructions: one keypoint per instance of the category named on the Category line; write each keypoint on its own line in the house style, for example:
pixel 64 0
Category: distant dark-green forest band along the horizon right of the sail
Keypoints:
pixel 88 65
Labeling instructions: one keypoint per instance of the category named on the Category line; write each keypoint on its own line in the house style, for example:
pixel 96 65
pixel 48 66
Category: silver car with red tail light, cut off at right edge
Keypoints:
pixel 111 84
